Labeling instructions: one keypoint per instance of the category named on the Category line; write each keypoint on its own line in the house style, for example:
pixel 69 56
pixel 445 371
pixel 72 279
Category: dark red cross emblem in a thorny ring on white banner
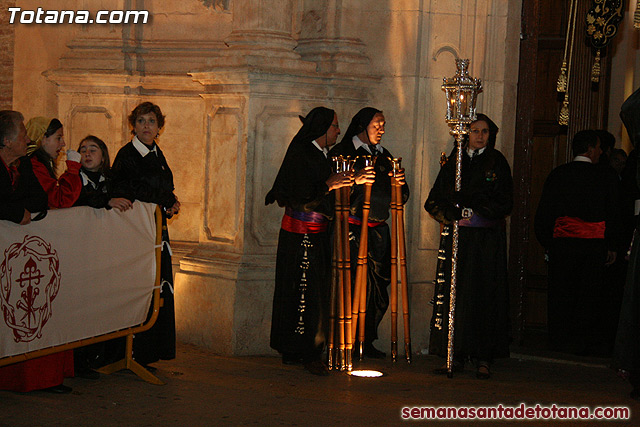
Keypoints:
pixel 29 282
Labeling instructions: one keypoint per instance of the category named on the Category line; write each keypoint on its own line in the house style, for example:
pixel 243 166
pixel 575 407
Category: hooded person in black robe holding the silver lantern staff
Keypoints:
pixel 486 198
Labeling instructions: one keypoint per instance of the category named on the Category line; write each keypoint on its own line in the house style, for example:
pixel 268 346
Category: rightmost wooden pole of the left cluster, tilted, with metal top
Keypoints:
pixel 360 292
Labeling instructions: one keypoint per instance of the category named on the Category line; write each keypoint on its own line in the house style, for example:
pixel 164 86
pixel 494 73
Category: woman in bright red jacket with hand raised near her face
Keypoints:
pixel 47 134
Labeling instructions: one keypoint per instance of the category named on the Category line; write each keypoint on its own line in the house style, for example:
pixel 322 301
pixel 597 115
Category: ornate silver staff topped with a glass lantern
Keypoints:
pixel 461 92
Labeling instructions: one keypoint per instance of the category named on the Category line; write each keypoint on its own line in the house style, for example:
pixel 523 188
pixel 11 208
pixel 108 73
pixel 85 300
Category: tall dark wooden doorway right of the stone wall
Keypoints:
pixel 541 145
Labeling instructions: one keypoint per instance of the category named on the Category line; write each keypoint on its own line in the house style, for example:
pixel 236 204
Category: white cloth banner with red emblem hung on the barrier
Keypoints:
pixel 78 273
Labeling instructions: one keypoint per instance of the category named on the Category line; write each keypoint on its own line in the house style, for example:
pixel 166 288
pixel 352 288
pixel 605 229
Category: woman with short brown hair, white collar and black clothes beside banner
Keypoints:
pixel 140 172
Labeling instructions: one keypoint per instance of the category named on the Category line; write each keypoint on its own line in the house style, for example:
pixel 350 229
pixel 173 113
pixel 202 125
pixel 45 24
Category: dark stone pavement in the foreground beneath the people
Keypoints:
pixel 203 389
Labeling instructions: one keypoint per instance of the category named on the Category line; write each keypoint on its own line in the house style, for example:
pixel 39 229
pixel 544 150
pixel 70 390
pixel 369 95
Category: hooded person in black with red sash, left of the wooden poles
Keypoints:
pixel 303 266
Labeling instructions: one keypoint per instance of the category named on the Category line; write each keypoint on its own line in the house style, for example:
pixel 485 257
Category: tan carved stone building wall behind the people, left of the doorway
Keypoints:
pixel 232 77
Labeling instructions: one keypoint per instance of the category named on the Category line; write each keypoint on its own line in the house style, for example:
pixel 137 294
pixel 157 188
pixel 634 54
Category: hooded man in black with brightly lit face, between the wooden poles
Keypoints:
pixel 363 139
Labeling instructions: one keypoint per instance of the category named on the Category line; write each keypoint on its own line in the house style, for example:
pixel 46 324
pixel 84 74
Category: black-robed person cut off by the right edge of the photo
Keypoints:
pixel 626 354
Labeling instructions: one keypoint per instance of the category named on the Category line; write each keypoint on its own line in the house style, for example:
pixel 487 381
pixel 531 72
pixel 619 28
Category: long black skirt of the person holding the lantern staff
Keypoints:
pixel 481 322
